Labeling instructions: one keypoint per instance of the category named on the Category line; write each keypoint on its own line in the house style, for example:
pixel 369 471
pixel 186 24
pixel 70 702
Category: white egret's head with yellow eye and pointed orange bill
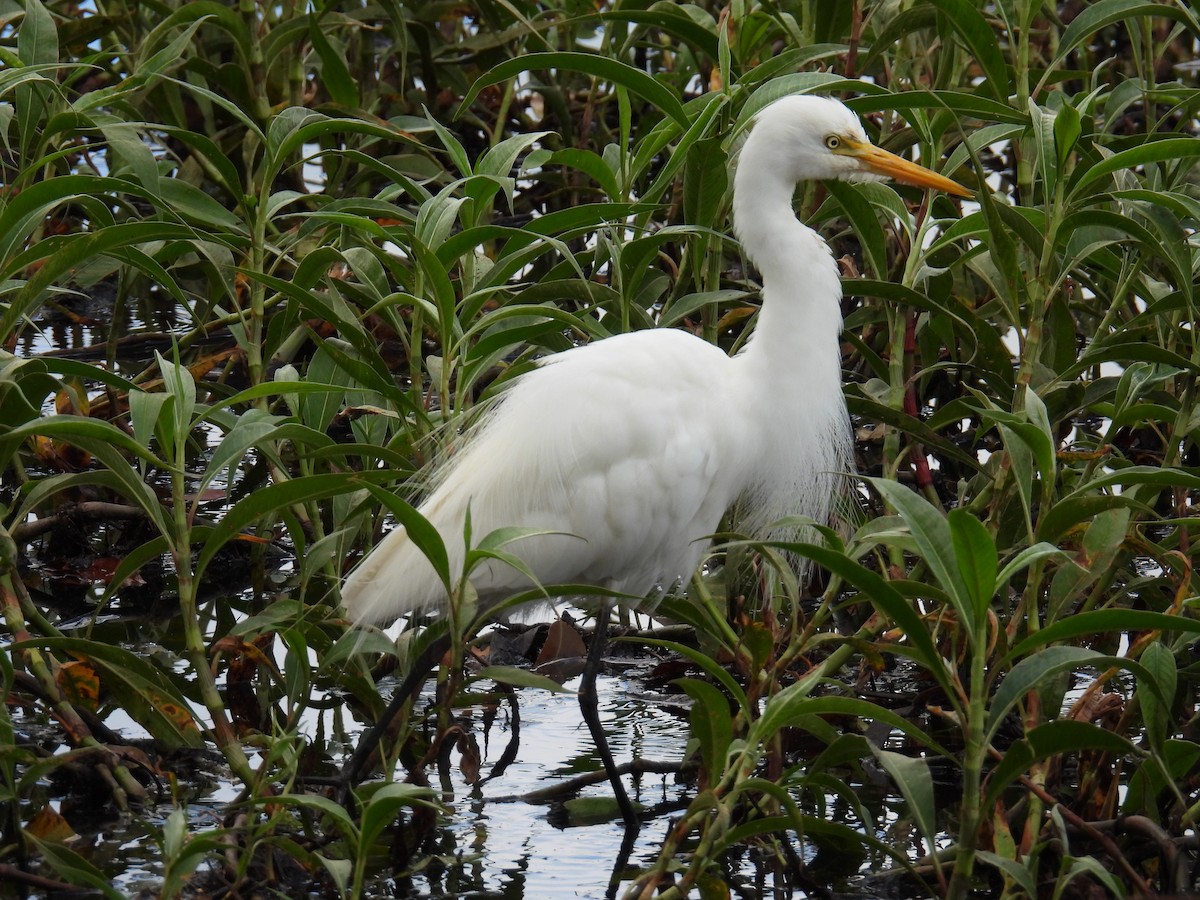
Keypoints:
pixel 806 137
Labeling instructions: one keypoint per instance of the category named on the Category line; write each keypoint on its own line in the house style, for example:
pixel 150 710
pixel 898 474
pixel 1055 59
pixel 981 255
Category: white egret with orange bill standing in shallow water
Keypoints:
pixel 633 448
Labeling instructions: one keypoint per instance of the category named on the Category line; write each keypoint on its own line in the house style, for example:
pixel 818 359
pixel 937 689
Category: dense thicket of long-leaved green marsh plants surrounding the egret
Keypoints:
pixel 261 263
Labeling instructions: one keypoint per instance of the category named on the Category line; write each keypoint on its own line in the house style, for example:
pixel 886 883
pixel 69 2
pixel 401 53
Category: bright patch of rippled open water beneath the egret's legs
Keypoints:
pixel 497 845
